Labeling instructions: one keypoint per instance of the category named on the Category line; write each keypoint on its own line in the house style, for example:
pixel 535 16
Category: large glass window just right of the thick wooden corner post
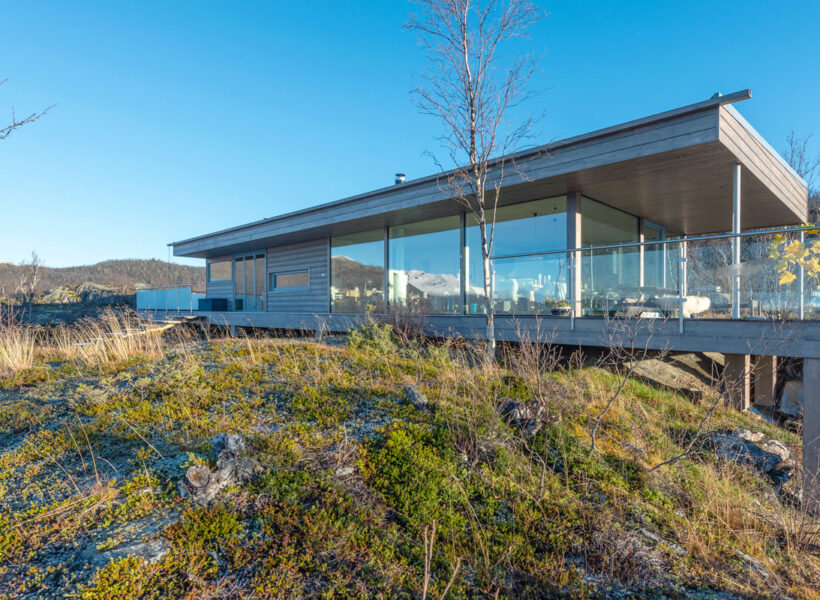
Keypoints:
pixel 611 277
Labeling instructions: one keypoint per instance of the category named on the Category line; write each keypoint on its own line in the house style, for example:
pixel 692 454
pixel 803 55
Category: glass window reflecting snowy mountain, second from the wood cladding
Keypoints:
pixel 424 272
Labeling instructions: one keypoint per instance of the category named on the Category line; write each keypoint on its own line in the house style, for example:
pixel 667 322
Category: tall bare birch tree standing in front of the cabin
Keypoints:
pixel 471 87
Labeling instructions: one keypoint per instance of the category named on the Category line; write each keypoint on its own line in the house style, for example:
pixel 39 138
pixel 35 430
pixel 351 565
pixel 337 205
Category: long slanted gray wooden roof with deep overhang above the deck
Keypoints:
pixel 674 168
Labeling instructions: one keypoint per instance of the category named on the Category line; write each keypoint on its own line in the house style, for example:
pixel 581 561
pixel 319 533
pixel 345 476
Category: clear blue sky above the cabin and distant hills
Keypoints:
pixel 178 118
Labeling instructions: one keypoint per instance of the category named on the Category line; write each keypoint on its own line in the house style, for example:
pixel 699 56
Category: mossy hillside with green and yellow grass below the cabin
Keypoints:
pixel 91 457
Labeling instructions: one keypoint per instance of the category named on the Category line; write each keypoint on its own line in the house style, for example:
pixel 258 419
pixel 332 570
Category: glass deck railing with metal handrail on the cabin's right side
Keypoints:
pixel 753 274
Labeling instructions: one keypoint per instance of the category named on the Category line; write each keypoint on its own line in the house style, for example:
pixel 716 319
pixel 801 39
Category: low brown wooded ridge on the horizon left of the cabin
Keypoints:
pixel 125 274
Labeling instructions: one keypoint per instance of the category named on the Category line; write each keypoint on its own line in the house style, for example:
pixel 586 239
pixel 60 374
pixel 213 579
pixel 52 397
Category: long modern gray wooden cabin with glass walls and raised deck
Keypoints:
pixel 668 219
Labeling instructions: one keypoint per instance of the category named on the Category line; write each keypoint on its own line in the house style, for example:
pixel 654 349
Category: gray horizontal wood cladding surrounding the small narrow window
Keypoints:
pixel 312 256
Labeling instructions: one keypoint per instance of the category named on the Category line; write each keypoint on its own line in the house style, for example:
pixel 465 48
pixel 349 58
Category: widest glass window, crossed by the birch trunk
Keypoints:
pixel 523 285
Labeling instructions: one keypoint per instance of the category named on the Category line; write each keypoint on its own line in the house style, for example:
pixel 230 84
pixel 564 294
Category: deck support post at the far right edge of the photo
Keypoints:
pixel 811 432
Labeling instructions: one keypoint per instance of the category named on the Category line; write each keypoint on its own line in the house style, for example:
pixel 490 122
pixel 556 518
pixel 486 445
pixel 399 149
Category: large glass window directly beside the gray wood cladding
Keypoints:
pixel 357 272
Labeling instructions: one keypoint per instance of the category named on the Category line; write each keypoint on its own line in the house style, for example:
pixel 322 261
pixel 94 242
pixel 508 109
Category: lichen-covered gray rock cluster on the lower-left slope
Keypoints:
pixel 202 484
